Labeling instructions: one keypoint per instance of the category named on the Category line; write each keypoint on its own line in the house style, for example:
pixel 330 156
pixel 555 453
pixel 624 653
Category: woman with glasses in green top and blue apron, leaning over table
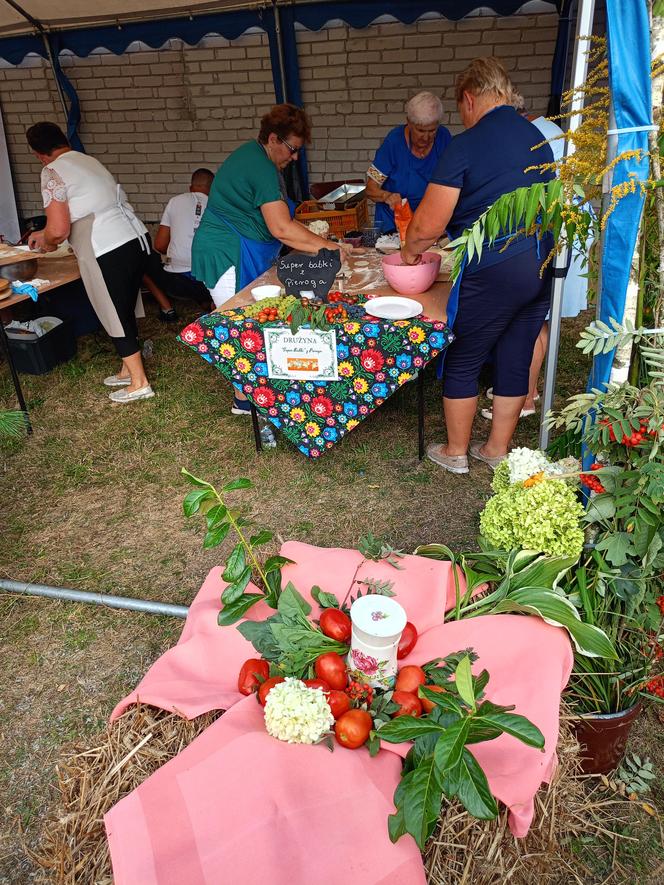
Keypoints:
pixel 248 216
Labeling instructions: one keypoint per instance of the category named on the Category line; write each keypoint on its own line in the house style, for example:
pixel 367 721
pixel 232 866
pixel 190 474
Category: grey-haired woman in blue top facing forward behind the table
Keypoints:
pixel 404 162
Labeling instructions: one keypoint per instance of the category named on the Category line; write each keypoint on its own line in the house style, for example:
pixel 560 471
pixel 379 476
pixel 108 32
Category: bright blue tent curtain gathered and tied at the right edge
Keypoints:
pixel 629 74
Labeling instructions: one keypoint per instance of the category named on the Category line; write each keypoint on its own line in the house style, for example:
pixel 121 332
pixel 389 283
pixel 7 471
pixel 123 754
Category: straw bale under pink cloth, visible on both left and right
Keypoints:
pixel 73 848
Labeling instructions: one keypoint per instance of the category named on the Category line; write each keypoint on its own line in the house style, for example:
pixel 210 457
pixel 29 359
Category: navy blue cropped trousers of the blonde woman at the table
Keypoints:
pixel 500 314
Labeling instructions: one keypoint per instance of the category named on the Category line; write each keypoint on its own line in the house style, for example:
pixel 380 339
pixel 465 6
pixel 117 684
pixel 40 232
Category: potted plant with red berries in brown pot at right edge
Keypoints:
pixel 618 583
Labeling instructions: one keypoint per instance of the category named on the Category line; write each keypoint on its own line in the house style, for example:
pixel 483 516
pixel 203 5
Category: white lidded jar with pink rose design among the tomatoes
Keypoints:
pixel 378 622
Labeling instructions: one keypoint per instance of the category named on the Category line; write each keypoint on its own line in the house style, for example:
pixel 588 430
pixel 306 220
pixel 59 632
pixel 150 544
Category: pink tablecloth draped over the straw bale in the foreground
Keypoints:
pixel 238 806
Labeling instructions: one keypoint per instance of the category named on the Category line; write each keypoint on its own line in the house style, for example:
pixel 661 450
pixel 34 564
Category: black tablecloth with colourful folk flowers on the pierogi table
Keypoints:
pixel 375 358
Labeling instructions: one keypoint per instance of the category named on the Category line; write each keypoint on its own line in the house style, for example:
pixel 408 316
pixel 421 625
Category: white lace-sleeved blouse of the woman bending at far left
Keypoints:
pixel 90 189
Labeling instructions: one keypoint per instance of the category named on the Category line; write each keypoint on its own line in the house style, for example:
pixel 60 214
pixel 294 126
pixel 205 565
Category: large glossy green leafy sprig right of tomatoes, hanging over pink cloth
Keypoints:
pixel 439 765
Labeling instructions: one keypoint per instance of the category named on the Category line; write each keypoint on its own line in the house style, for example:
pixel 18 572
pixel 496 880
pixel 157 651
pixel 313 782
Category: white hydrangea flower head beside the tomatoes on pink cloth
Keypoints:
pixel 296 713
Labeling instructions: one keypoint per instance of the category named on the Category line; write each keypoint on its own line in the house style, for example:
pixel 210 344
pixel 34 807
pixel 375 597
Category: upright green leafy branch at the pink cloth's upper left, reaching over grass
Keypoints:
pixel 242 563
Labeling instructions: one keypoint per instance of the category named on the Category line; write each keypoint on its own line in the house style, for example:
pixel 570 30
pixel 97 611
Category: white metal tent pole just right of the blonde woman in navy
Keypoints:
pixel 584 25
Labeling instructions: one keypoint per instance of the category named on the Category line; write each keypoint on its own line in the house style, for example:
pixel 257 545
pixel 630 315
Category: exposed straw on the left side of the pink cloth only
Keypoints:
pixel 73 849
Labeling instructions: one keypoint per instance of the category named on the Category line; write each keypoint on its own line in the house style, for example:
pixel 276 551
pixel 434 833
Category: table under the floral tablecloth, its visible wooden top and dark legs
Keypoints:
pixel 367 279
